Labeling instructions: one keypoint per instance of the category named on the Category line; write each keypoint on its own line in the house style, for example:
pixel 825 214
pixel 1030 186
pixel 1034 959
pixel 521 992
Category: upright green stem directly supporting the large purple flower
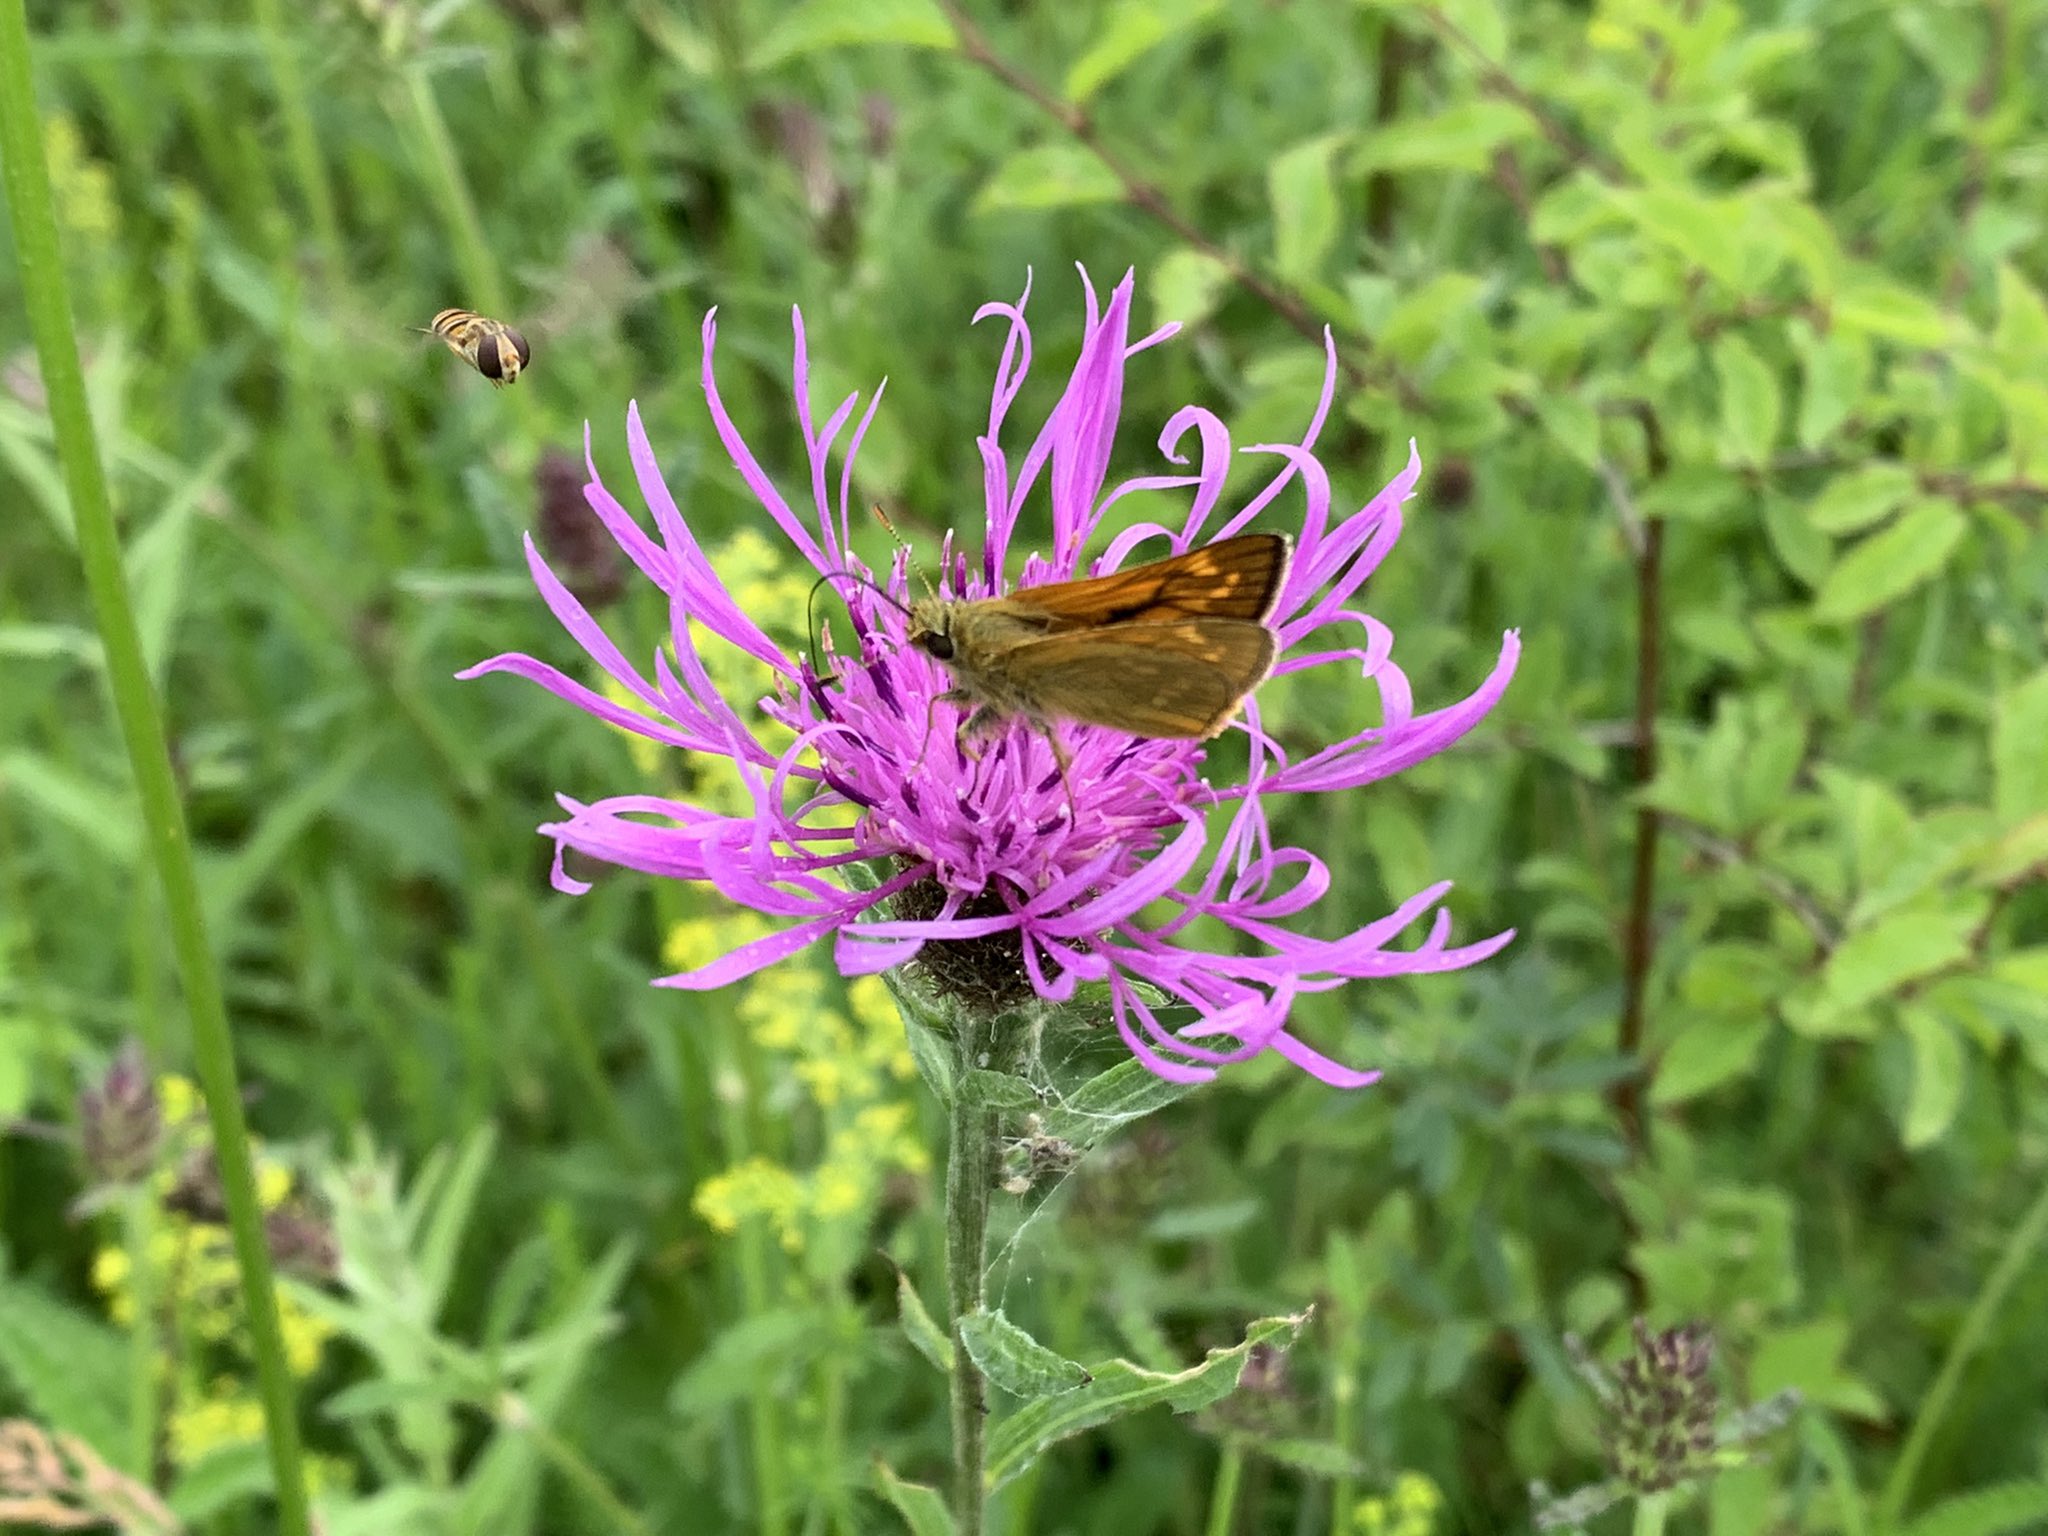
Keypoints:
pixel 972 1158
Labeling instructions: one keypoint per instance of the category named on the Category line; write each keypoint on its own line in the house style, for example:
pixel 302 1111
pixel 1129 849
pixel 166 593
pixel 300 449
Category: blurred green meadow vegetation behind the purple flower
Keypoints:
pixel 1721 335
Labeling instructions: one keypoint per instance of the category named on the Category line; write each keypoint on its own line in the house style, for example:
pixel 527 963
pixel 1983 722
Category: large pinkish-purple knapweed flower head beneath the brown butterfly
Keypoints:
pixel 986 853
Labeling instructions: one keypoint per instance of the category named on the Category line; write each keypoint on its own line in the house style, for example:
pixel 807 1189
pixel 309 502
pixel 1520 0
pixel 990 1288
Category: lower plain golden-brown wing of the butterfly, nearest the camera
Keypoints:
pixel 1175 679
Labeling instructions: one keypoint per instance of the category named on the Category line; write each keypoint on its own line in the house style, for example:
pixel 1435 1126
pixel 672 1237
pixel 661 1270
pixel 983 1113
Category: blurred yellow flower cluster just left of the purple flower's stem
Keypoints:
pixel 851 1062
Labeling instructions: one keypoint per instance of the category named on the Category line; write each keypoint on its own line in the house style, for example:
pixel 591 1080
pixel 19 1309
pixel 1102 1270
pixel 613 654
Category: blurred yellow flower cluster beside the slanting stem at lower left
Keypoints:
pixel 198 1285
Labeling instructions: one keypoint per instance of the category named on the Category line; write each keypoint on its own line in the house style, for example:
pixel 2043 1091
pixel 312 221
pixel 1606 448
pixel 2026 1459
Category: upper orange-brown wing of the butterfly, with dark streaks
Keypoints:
pixel 1234 579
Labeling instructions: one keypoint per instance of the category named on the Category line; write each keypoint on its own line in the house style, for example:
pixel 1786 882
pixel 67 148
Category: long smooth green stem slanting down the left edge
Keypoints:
pixel 99 550
